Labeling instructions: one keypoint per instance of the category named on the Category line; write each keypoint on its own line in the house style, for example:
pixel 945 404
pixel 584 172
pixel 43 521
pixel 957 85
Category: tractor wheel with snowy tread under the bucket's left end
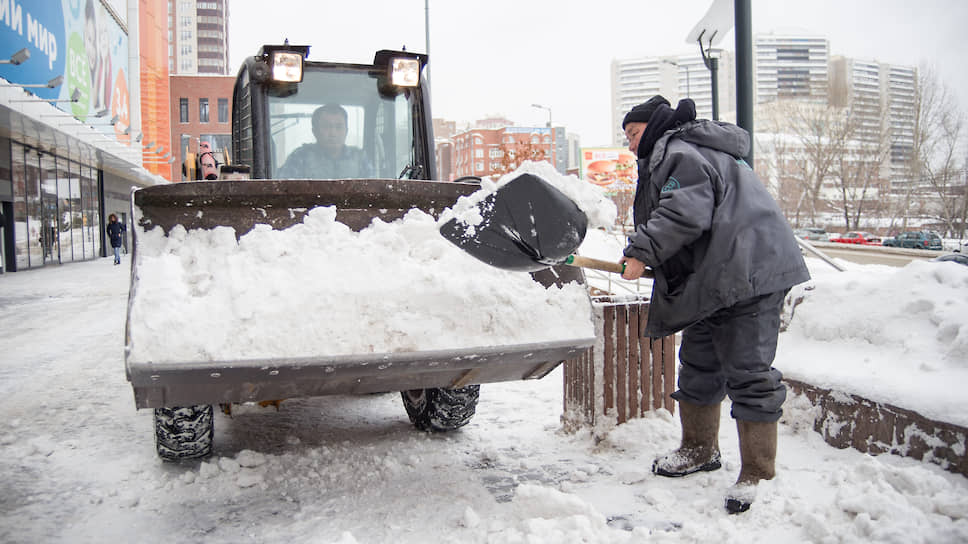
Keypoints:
pixel 184 432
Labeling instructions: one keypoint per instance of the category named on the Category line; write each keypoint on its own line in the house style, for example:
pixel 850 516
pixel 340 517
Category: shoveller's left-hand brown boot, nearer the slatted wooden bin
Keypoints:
pixel 699 450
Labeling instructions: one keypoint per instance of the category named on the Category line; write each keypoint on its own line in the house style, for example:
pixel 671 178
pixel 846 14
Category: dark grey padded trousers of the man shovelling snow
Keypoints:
pixel 731 353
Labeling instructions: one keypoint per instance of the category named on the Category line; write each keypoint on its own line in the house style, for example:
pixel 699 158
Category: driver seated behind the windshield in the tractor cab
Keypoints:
pixel 329 157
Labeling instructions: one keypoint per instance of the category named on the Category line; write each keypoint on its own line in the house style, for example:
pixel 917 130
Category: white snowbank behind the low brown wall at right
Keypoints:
pixel 892 335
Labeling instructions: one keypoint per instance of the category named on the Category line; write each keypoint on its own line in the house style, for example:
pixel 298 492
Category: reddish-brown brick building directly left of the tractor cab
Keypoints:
pixel 201 111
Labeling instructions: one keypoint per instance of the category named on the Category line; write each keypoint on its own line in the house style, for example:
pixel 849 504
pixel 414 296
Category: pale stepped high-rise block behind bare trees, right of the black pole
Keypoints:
pixel 871 101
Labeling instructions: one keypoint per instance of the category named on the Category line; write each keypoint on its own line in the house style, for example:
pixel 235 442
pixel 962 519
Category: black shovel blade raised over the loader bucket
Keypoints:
pixel 528 225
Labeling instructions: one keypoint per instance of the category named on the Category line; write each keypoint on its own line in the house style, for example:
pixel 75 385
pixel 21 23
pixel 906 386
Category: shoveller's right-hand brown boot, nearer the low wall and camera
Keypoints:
pixel 757 449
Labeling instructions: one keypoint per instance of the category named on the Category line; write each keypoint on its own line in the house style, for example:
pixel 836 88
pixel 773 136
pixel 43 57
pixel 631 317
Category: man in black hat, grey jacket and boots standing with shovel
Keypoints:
pixel 724 257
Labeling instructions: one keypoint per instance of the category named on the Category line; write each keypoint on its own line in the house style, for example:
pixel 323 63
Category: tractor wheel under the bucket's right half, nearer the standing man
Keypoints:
pixel 440 410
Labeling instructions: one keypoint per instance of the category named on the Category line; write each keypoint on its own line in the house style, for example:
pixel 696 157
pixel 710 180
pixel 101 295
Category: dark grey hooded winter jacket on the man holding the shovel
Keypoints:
pixel 707 226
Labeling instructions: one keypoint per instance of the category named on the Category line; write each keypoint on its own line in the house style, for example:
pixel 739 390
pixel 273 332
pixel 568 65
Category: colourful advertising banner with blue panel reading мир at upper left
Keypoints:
pixel 77 39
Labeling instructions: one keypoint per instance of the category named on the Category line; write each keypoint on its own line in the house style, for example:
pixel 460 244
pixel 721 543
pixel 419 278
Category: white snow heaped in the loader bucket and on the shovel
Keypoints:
pixel 320 289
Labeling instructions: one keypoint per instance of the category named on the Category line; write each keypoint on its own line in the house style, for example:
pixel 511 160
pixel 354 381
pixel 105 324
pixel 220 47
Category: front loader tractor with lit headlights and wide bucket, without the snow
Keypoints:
pixel 355 136
